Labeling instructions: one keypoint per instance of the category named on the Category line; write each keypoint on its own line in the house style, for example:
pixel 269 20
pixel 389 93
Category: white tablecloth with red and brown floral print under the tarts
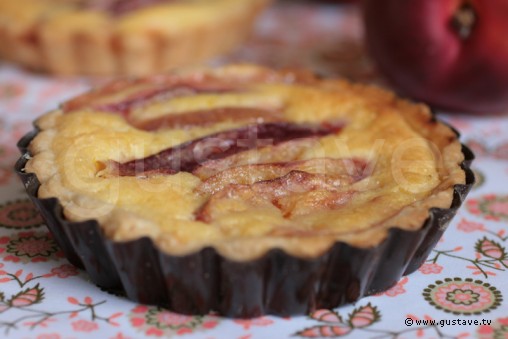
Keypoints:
pixel 460 292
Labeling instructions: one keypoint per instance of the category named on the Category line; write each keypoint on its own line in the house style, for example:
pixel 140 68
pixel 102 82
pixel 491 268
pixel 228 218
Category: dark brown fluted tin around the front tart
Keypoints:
pixel 277 283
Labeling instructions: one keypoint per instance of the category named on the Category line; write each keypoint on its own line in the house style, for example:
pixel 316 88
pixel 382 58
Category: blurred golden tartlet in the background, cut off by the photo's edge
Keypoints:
pixel 121 37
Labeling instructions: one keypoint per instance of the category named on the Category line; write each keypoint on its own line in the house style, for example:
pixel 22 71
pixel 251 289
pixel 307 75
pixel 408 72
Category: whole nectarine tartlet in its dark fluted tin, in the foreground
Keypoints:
pixel 243 190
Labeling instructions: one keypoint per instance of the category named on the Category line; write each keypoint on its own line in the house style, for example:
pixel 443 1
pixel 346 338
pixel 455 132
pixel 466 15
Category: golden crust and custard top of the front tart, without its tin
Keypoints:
pixel 387 164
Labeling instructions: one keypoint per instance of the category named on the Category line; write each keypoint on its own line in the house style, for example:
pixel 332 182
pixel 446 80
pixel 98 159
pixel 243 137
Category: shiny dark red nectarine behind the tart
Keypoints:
pixel 453 54
